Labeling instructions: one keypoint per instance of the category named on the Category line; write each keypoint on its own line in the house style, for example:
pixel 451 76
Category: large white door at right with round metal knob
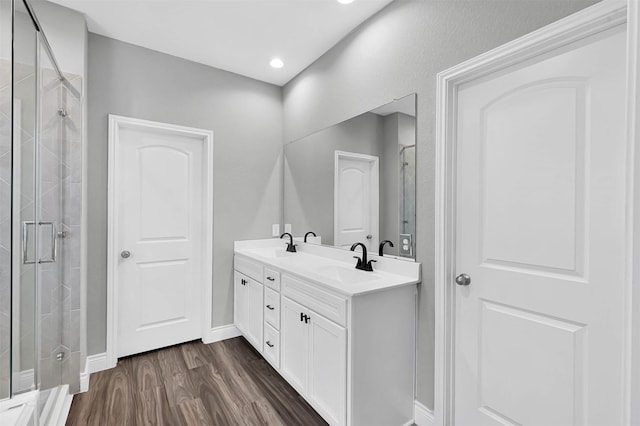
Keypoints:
pixel 540 231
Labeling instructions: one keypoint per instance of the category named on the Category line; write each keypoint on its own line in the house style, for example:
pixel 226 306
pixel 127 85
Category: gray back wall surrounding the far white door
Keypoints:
pixel 246 118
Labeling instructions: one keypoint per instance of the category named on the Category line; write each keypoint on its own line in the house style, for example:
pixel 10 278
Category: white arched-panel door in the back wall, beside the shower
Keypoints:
pixel 160 237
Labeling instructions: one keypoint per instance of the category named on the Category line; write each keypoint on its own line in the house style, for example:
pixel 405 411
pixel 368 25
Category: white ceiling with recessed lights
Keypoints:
pixel 240 36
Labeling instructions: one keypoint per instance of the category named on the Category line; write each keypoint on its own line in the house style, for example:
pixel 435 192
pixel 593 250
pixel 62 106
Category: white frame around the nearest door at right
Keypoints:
pixel 590 21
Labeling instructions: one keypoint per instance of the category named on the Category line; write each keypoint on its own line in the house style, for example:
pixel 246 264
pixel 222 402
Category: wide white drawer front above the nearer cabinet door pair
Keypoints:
pixel 329 305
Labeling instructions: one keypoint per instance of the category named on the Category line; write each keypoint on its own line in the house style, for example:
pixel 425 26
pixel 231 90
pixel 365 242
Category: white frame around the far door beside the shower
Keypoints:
pixel 116 123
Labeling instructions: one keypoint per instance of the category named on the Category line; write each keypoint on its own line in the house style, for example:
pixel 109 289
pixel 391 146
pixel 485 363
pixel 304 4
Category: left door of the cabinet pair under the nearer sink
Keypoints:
pixel 294 345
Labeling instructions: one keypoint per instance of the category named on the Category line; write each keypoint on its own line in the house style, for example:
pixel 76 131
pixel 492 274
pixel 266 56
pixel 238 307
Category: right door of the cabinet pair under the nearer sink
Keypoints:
pixel 328 369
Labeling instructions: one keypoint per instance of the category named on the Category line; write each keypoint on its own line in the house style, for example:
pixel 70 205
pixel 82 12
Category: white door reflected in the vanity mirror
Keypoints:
pixel 356 199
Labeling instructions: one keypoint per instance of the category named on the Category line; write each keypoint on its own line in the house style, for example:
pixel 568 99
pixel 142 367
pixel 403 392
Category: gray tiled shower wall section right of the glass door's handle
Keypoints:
pixel 60 198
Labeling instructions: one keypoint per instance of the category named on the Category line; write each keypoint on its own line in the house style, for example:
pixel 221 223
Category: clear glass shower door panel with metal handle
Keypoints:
pixel 38 174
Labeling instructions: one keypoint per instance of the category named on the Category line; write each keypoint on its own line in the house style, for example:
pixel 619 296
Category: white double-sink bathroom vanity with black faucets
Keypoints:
pixel 343 338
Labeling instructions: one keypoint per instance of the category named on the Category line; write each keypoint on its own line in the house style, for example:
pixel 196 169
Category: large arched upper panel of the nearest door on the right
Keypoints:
pixel 534 176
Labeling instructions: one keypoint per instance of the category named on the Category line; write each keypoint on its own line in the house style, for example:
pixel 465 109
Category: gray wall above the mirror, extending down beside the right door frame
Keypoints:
pixel 397 52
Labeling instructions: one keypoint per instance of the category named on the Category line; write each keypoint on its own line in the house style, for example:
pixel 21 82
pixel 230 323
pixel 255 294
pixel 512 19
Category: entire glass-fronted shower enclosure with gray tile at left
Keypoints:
pixel 40 205
